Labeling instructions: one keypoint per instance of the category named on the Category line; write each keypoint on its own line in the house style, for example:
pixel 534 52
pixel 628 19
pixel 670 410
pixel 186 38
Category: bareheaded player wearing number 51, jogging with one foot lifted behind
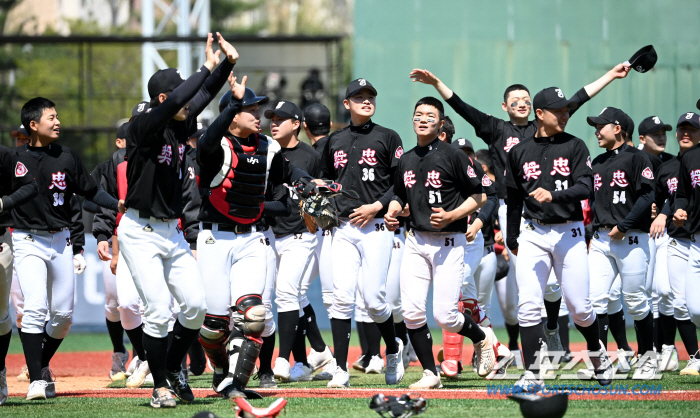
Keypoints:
pixel 441 193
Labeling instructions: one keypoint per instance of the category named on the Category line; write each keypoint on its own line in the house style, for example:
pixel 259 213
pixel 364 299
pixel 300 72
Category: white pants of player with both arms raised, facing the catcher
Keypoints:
pixel 162 265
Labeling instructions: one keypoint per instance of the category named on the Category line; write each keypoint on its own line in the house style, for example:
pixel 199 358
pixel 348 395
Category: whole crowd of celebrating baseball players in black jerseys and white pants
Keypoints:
pixel 208 231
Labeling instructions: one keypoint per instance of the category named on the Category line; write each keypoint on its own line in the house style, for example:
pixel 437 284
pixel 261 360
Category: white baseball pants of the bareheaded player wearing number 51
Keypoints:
pixel 433 258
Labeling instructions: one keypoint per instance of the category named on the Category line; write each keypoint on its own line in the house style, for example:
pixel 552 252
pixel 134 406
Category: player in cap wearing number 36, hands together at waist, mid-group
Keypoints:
pixel 363 157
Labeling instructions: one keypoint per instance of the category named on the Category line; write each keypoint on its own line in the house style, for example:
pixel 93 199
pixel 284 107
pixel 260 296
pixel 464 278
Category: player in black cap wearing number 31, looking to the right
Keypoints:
pixel 549 175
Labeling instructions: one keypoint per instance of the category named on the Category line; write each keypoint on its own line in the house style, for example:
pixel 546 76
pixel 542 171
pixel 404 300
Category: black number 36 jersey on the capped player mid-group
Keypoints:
pixel 363 159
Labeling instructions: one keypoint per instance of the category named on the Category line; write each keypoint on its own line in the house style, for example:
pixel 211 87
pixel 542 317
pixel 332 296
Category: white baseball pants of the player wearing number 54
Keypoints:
pixel 629 257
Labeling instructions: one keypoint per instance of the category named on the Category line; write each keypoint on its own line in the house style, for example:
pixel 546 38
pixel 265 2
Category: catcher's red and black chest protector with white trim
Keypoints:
pixel 238 189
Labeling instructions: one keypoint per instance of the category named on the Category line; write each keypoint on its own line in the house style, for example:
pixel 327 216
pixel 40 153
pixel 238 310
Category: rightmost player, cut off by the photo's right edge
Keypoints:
pixel 681 256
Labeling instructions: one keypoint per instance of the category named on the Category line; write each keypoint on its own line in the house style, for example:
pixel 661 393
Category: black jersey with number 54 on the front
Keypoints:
pixel 620 176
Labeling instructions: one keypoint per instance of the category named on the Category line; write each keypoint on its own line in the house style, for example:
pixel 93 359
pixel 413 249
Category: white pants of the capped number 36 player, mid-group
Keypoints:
pixel 367 249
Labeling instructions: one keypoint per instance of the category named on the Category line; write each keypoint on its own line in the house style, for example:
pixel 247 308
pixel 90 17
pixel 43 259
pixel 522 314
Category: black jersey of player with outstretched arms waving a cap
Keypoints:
pixel 500 135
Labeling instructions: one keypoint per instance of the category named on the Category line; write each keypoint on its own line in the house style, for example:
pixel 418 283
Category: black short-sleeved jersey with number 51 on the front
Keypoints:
pixel 435 176
